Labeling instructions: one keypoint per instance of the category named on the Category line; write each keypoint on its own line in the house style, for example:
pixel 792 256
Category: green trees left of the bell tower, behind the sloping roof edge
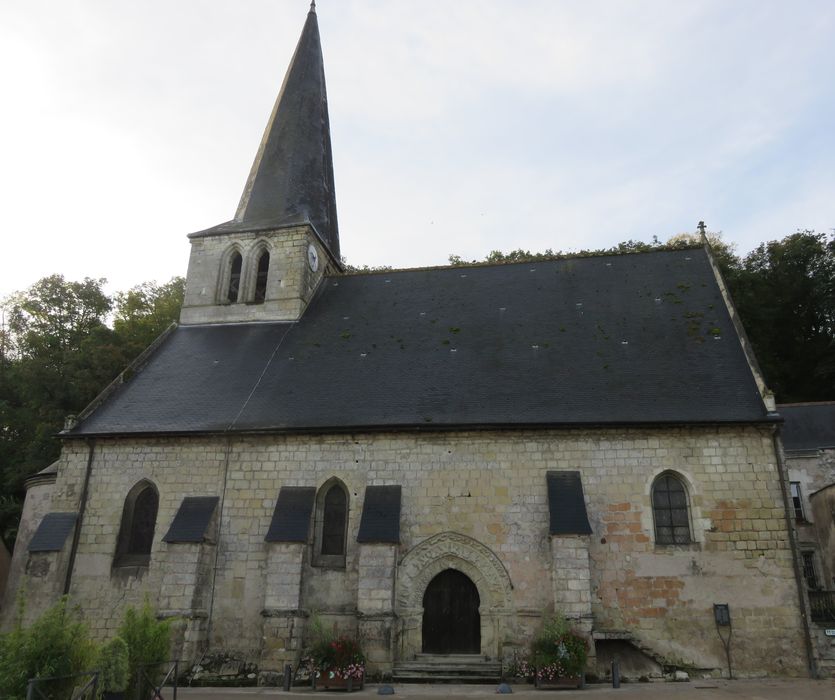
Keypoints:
pixel 56 354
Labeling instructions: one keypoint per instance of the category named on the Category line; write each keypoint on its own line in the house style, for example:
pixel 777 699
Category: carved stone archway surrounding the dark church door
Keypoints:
pixel 451 550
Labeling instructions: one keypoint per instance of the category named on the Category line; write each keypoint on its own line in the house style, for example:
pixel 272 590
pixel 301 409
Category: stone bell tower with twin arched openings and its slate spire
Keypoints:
pixel 266 263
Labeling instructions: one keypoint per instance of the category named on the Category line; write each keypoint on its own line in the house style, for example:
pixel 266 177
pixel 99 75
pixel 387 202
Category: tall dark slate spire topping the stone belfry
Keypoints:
pixel 291 181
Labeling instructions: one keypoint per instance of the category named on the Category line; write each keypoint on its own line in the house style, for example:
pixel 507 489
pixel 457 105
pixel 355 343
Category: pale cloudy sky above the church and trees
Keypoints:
pixel 458 126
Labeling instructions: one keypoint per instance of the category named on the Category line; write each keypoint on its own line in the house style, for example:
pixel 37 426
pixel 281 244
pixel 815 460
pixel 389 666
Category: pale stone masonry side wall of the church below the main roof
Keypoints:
pixel 488 486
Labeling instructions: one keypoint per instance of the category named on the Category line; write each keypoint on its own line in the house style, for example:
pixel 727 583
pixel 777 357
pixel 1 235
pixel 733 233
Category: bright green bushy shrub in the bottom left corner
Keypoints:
pixel 56 644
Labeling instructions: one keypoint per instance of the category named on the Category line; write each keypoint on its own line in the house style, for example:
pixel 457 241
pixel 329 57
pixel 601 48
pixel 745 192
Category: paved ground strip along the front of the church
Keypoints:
pixel 800 689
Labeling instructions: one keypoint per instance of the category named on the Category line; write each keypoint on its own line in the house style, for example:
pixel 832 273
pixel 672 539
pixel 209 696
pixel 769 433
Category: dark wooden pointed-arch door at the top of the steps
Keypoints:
pixel 451 621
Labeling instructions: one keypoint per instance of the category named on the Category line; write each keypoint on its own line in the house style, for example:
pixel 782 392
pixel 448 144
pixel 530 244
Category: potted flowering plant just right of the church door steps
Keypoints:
pixel 558 655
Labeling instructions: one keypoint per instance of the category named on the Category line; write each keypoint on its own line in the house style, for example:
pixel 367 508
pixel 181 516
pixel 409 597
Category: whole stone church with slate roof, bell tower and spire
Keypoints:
pixel 490 444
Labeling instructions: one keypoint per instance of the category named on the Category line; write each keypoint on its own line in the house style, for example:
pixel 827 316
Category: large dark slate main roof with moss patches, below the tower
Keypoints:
pixel 622 339
